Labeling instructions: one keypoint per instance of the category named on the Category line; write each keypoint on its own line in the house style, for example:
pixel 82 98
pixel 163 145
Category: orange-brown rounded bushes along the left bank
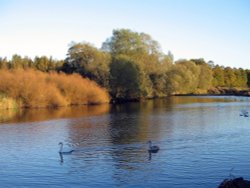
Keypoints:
pixel 31 88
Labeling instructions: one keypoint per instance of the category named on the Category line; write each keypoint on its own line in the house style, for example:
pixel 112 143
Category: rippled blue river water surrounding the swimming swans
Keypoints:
pixel 202 140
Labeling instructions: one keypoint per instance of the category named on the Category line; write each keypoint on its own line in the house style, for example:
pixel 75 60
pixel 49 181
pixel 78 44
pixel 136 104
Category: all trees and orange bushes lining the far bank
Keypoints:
pixel 130 66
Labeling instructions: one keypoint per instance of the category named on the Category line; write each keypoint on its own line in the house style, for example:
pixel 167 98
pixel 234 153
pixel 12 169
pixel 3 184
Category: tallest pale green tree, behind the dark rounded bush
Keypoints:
pixel 145 52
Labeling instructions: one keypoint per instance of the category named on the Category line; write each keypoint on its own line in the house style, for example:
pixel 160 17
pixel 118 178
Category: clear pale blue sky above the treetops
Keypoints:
pixel 217 30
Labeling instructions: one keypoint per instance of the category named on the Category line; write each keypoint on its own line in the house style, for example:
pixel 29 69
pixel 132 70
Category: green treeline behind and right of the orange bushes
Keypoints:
pixel 132 66
